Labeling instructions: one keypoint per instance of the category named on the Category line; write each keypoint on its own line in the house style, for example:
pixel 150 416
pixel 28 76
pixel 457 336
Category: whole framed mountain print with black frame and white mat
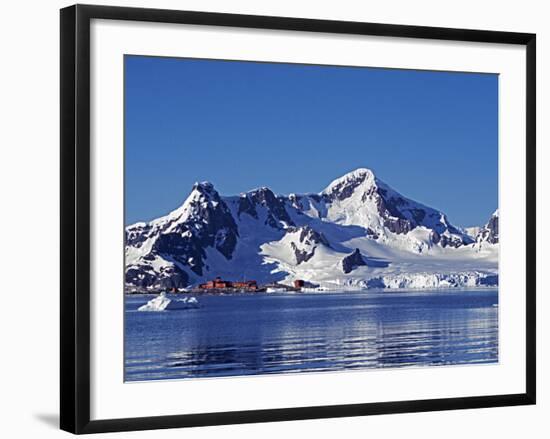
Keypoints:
pixel 269 218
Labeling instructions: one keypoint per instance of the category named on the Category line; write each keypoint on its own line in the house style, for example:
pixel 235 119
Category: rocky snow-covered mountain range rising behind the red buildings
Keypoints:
pixel 358 232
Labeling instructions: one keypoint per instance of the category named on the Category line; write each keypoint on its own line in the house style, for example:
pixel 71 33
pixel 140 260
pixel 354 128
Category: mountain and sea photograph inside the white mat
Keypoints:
pixel 286 218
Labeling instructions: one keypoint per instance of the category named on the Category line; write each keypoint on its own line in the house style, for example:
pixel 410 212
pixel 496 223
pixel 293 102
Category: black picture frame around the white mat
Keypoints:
pixel 75 218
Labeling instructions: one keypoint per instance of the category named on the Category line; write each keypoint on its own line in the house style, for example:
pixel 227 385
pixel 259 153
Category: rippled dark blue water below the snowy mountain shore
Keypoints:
pixel 262 334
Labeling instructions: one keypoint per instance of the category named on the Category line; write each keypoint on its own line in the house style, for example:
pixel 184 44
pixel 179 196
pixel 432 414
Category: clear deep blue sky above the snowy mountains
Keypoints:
pixel 433 136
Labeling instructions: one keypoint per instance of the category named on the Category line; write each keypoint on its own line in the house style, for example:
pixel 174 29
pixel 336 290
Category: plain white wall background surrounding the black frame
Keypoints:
pixel 29 236
